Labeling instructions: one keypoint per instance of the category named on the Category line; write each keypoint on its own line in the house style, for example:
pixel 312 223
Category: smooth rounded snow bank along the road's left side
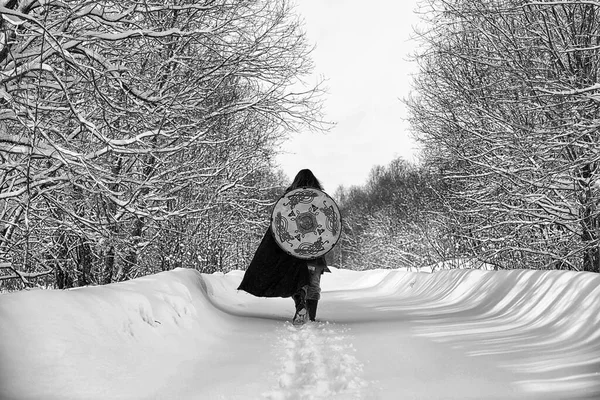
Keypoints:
pixel 98 342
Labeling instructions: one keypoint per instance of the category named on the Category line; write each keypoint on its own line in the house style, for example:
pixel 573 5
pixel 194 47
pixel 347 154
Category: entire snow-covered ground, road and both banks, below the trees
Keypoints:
pixel 380 334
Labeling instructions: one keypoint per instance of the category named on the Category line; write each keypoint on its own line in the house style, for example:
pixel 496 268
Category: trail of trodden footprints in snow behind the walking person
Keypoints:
pixel 318 362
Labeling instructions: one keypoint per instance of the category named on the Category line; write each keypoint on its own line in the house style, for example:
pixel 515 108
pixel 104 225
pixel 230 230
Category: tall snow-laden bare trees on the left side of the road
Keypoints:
pixel 118 117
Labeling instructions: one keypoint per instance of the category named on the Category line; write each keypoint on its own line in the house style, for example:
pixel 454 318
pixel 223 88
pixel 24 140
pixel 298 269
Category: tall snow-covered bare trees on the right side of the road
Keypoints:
pixel 506 104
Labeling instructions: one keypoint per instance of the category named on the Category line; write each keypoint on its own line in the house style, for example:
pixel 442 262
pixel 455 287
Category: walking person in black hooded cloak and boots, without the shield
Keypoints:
pixel 275 273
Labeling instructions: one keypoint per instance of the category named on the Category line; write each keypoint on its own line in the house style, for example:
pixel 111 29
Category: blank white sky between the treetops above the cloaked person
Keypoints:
pixel 362 50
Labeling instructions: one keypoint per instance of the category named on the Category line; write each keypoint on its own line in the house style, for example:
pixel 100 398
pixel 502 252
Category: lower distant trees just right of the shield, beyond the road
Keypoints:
pixel 388 222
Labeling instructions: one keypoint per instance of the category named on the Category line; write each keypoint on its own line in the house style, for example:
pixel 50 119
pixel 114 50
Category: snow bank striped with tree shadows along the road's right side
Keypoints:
pixel 545 325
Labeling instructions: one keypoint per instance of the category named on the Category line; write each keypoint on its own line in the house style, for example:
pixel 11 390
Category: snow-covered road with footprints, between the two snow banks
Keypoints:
pixel 368 347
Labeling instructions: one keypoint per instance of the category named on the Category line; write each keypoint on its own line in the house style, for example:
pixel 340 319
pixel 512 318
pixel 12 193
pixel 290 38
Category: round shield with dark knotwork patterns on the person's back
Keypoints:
pixel 306 223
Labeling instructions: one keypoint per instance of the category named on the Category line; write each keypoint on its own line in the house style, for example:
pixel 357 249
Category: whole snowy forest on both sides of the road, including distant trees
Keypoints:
pixel 139 136
